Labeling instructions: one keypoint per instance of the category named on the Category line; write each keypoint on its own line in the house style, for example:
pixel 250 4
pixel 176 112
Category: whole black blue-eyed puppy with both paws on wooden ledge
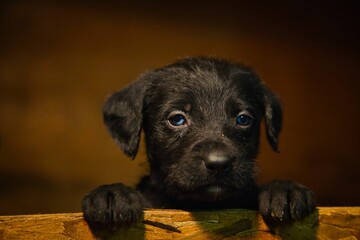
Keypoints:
pixel 201 118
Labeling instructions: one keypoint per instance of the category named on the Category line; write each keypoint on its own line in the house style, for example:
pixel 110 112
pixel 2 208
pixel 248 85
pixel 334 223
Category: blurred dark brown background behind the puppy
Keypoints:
pixel 59 59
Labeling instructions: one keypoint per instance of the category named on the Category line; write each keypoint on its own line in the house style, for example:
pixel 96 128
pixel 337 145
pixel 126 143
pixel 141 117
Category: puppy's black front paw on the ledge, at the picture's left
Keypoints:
pixel 111 206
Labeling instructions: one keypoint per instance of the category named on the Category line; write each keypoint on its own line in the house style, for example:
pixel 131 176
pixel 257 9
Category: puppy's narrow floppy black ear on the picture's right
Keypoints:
pixel 273 117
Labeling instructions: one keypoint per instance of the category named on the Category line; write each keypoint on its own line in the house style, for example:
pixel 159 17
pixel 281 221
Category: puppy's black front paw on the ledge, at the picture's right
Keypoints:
pixel 284 201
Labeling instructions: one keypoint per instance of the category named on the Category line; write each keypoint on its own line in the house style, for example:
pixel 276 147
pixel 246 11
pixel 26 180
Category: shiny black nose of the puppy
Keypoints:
pixel 218 161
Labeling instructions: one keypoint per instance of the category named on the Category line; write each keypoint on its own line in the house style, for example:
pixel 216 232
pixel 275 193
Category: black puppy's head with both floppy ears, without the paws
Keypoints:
pixel 201 118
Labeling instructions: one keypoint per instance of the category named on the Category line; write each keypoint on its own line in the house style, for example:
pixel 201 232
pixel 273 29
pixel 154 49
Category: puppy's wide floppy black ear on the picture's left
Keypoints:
pixel 122 113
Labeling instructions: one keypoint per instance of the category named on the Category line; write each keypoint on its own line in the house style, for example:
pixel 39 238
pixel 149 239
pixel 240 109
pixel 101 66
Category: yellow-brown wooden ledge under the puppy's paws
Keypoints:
pixel 325 223
